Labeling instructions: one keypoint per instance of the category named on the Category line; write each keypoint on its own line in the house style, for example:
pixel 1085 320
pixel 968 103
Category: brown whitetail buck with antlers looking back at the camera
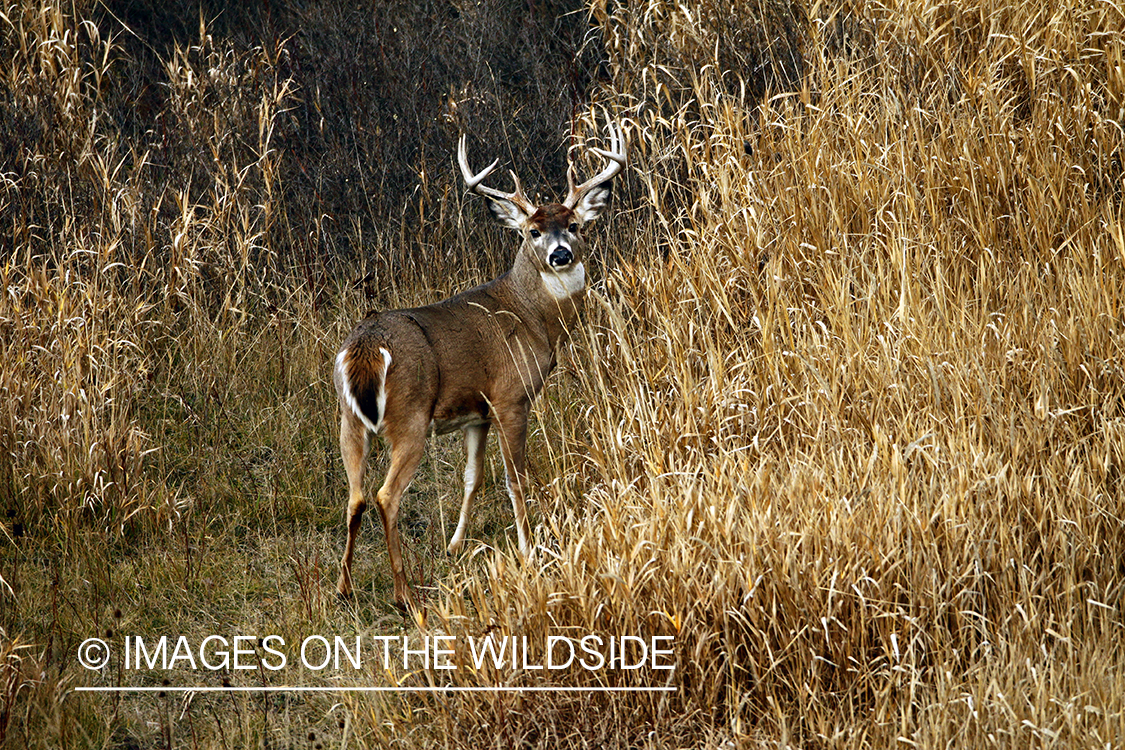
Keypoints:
pixel 470 363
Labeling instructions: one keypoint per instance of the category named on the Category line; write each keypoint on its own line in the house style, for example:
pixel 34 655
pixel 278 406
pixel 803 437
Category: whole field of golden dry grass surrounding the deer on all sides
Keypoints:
pixel 845 417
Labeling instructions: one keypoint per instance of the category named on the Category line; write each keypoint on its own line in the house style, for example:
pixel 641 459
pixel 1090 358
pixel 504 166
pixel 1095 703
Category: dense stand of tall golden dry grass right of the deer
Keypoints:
pixel 854 431
